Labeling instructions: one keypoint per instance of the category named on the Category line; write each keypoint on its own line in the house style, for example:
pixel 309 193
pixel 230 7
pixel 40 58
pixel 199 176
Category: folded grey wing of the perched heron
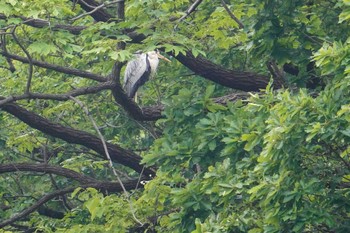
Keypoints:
pixel 134 73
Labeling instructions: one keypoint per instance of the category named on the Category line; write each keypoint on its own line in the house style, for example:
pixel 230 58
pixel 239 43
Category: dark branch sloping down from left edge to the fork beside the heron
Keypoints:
pixel 61 69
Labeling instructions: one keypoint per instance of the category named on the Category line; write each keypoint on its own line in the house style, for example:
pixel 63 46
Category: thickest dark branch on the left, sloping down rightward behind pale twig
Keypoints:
pixel 75 136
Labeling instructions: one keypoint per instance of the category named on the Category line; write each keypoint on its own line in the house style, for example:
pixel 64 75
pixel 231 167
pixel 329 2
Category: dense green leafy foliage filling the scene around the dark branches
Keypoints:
pixel 278 161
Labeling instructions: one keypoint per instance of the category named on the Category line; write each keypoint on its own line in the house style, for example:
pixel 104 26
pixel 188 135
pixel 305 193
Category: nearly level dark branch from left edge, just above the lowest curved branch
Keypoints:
pixel 14 167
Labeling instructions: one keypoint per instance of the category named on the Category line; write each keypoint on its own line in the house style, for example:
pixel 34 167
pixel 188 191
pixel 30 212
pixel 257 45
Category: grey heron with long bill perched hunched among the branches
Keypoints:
pixel 140 69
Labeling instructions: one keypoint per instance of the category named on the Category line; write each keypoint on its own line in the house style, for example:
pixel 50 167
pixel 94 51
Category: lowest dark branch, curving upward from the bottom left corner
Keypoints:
pixel 106 186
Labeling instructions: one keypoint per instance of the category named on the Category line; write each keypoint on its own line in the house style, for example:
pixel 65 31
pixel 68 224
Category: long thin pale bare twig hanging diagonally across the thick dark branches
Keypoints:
pixel 81 104
